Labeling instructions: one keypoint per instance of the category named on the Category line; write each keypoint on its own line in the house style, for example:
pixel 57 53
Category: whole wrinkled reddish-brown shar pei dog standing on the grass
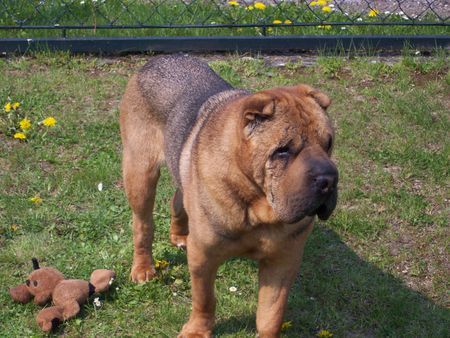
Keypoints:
pixel 251 170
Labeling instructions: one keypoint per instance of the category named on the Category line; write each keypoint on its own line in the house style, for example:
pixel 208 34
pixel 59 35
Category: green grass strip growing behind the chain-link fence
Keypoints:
pixel 207 13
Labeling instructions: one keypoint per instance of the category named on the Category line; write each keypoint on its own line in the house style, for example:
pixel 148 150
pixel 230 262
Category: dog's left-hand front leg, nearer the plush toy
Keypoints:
pixel 202 268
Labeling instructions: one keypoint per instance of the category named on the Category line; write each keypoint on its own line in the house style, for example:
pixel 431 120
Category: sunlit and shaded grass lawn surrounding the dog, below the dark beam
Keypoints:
pixel 379 267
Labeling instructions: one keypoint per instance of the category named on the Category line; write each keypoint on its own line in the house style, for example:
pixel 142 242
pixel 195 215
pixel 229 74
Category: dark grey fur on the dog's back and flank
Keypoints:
pixel 175 88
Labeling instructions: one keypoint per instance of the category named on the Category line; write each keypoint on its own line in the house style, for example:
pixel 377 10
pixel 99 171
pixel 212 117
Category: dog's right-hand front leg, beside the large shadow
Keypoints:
pixel 276 275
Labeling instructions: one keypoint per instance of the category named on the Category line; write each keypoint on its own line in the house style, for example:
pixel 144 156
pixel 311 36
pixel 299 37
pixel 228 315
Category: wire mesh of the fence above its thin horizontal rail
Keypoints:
pixel 274 15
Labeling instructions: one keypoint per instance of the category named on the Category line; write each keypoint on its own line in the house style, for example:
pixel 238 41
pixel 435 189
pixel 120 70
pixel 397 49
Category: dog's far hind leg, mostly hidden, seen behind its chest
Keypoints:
pixel 178 221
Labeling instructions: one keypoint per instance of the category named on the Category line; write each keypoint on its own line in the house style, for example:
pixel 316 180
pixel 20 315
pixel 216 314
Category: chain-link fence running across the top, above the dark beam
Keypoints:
pixel 31 19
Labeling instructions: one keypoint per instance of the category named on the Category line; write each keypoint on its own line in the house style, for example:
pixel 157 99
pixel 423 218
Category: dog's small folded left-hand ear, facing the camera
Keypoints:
pixel 256 109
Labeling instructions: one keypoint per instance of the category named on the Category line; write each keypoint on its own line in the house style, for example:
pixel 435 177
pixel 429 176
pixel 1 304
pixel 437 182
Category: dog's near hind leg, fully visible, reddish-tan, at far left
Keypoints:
pixel 143 140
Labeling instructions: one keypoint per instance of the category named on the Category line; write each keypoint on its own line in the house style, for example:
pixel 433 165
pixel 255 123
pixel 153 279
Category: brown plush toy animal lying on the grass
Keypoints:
pixel 45 284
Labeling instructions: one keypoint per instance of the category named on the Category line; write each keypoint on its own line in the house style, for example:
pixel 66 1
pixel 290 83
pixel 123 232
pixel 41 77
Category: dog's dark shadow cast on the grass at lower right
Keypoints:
pixel 338 291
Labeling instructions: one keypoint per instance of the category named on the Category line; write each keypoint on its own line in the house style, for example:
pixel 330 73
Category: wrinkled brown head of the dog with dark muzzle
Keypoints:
pixel 287 142
